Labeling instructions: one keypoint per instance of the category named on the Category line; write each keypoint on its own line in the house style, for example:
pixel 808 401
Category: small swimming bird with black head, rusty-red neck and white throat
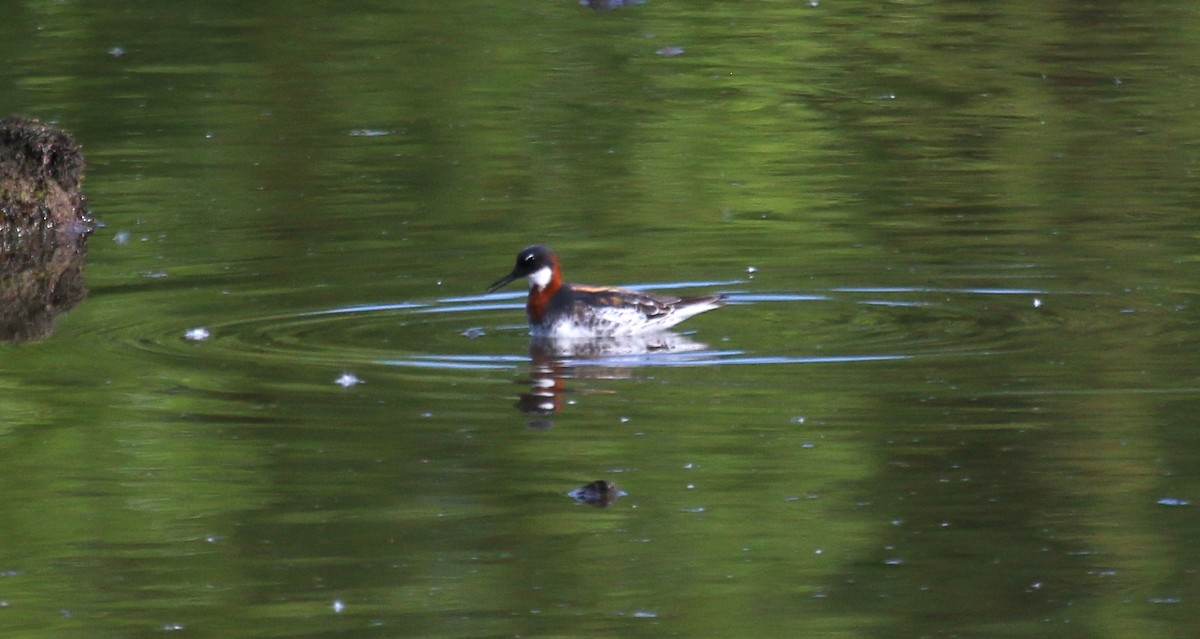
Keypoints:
pixel 557 309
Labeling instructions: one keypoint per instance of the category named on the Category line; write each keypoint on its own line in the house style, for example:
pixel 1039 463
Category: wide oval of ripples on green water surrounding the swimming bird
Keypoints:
pixel 841 326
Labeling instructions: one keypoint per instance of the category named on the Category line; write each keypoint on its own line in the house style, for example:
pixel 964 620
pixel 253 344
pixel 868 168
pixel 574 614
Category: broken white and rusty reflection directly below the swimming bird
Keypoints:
pixel 555 361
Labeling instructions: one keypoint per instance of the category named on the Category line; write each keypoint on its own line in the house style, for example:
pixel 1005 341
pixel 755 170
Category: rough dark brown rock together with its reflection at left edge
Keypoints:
pixel 44 228
